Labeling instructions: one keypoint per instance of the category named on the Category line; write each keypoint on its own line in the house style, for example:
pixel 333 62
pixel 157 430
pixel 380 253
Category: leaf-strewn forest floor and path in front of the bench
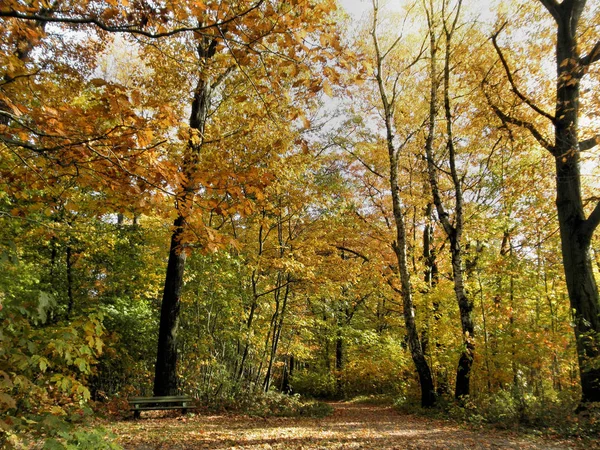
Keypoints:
pixel 351 426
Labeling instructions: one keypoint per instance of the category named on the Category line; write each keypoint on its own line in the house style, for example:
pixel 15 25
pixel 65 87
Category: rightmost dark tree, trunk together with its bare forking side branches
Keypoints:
pixel 576 227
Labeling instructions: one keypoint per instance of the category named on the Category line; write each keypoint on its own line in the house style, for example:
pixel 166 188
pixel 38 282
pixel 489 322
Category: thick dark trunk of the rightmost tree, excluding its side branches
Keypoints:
pixel 575 230
